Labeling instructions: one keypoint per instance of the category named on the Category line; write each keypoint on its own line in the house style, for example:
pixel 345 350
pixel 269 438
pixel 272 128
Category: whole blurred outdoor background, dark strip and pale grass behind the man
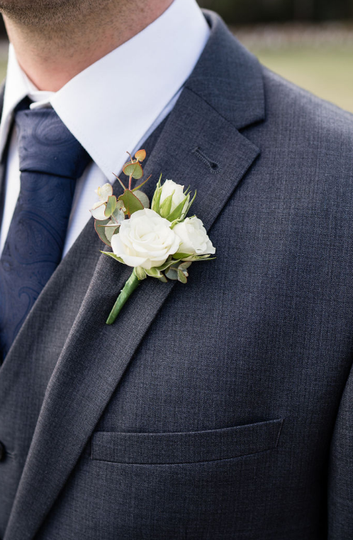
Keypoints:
pixel 309 42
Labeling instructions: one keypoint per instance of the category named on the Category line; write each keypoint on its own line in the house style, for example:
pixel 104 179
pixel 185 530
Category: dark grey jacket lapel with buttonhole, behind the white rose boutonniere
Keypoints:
pixel 198 146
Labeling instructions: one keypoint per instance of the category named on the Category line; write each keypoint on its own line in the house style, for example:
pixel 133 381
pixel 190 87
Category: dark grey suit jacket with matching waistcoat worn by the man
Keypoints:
pixel 217 410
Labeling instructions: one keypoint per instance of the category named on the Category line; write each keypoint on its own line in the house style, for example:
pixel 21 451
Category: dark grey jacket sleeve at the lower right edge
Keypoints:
pixel 340 480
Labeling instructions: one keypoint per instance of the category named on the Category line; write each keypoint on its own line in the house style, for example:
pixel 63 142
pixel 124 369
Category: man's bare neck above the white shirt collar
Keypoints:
pixel 52 54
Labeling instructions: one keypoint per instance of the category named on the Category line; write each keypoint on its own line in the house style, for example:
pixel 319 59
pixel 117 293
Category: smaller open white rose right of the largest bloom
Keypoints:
pixel 193 237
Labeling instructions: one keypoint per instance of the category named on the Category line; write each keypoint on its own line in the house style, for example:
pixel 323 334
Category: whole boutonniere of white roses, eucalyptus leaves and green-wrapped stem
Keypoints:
pixel 157 241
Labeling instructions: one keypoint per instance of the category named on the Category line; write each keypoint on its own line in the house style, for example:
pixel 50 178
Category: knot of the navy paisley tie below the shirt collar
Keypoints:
pixel 47 146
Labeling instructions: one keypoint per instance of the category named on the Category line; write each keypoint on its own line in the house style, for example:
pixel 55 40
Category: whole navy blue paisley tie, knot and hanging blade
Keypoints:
pixel 51 160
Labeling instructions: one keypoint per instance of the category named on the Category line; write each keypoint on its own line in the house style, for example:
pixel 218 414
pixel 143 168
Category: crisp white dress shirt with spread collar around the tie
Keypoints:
pixel 104 109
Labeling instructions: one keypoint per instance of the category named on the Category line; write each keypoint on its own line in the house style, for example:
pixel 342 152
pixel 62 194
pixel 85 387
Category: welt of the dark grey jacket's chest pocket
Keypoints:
pixel 185 447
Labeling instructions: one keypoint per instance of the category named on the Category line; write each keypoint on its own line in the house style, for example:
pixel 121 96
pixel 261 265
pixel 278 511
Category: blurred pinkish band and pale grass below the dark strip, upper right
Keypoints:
pixel 317 58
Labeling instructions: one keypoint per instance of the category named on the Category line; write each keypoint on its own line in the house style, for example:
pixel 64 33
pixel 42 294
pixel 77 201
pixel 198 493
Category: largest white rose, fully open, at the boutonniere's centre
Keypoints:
pixel 145 240
